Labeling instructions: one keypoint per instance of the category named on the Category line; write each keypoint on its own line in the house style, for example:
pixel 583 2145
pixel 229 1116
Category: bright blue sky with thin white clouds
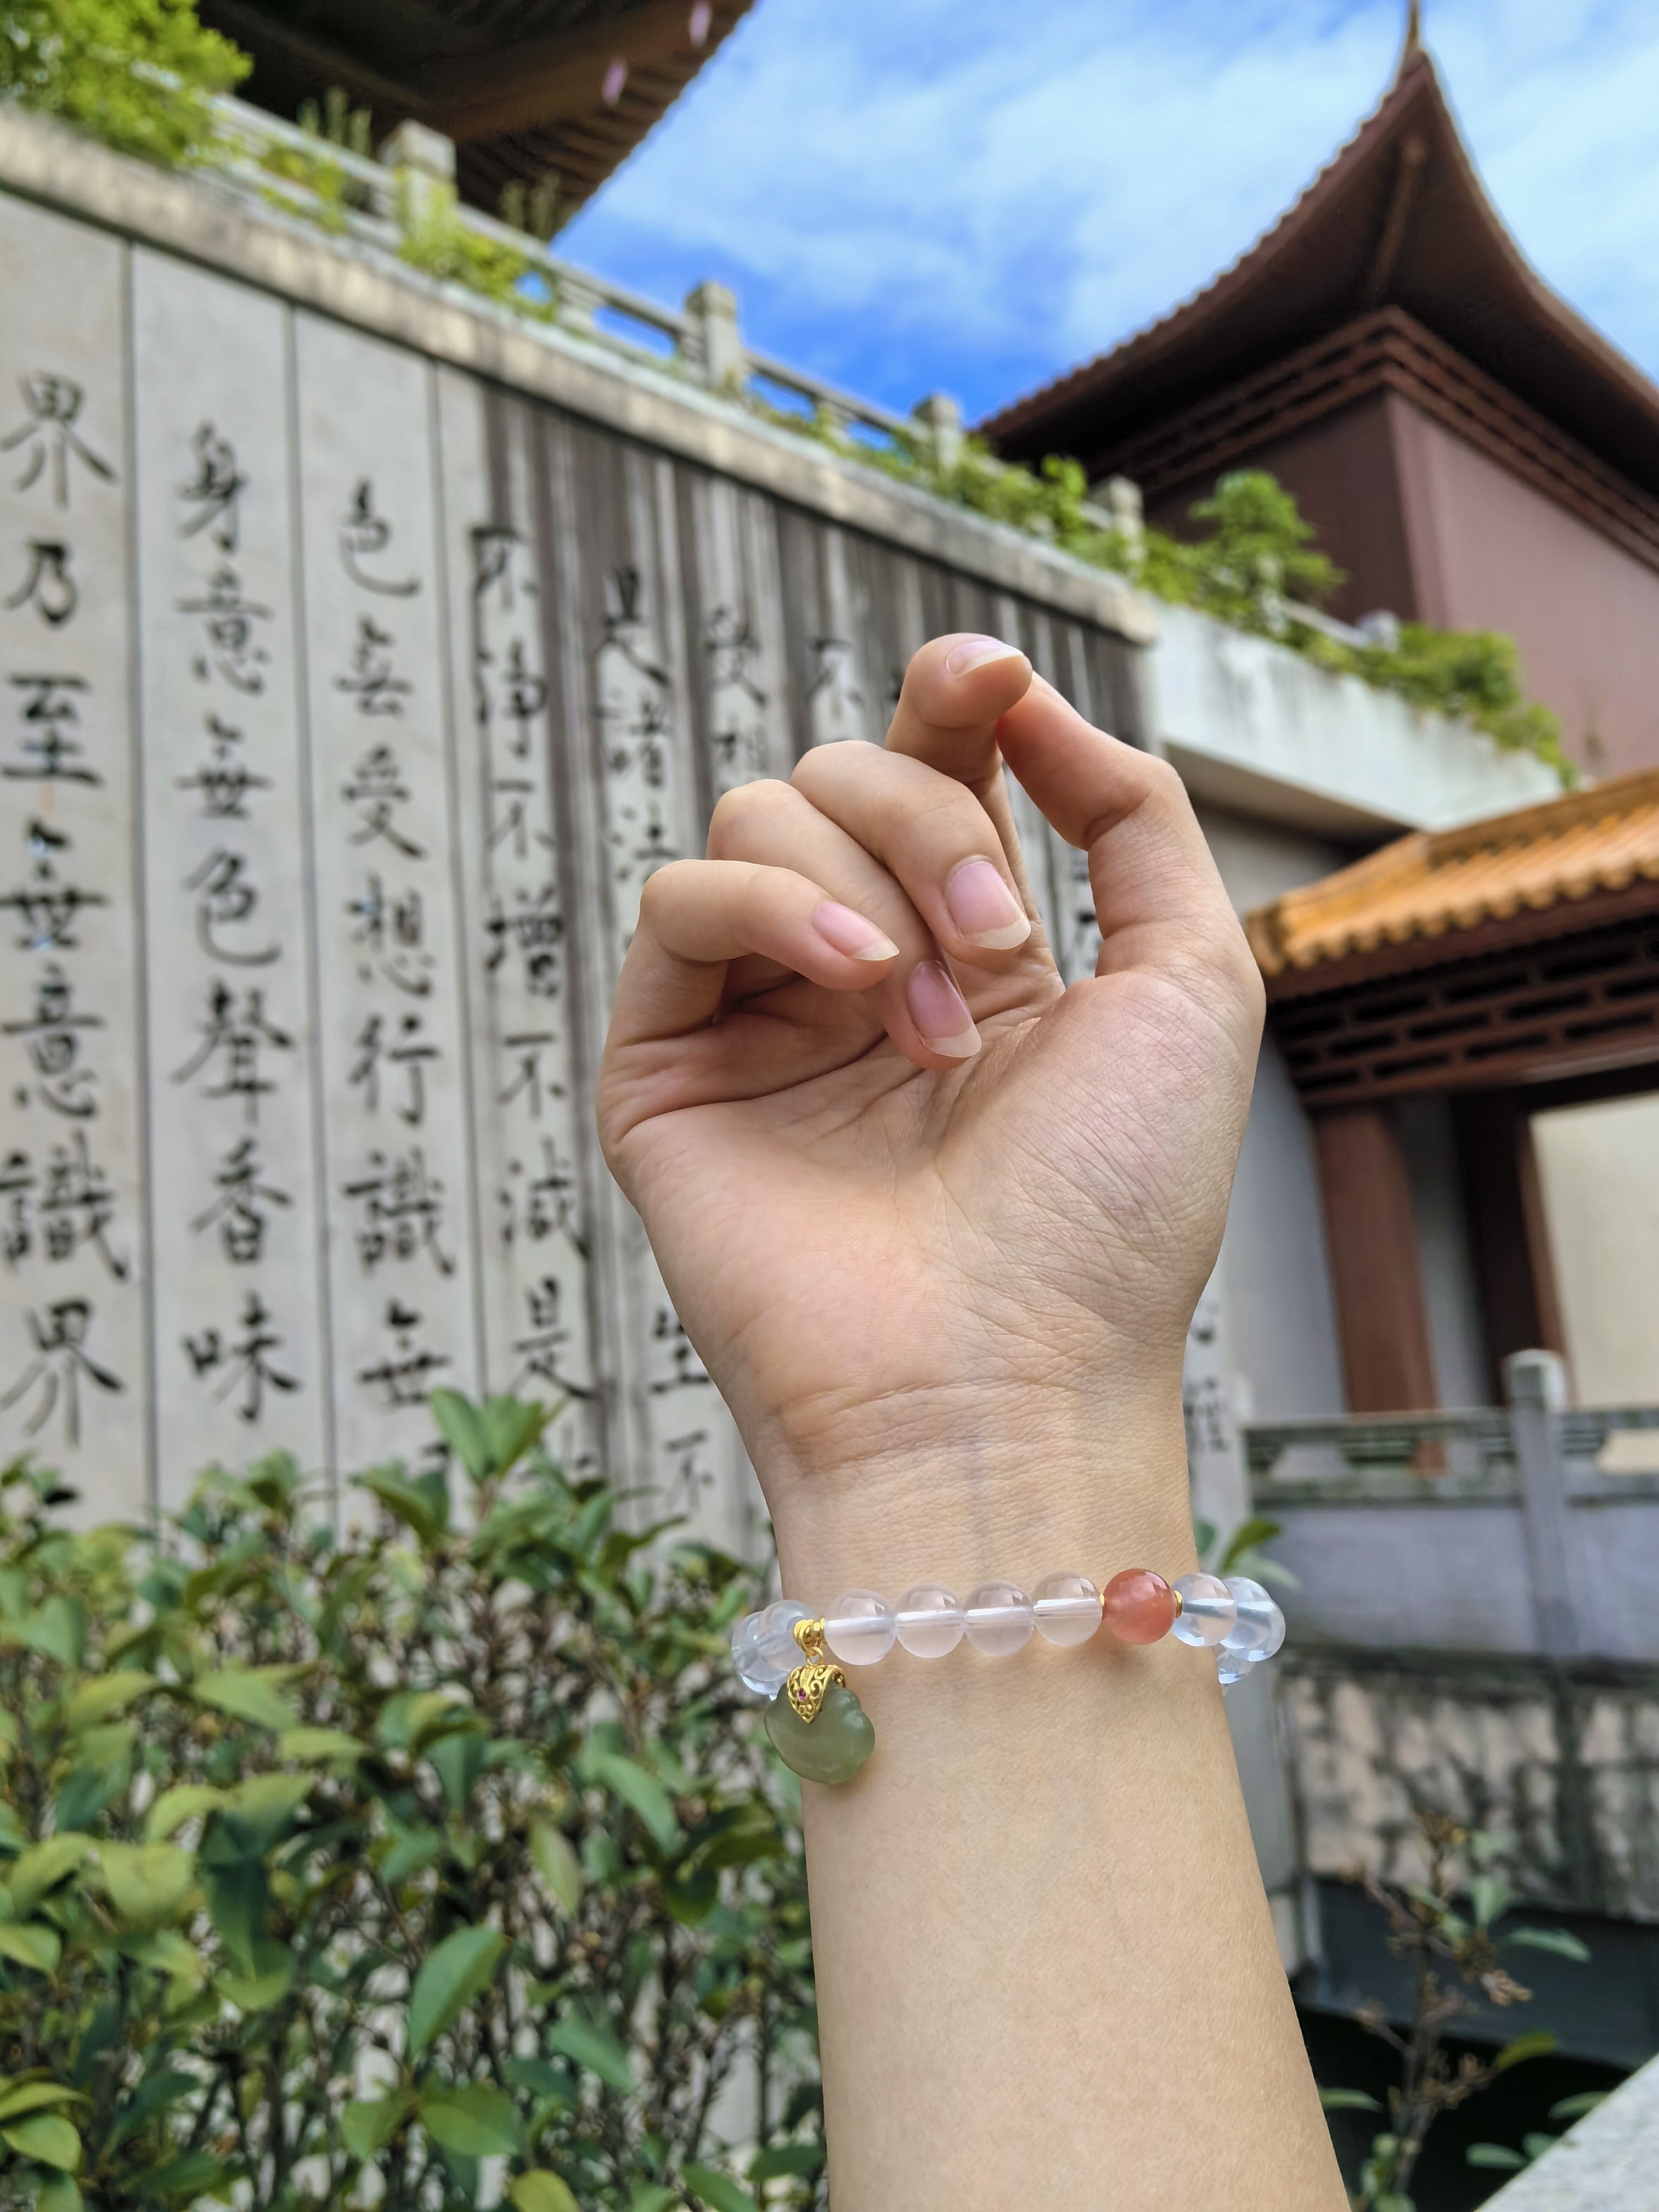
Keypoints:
pixel 959 196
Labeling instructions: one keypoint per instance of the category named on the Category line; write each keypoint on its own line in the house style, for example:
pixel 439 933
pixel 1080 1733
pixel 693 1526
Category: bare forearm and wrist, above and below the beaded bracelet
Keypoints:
pixel 1045 1963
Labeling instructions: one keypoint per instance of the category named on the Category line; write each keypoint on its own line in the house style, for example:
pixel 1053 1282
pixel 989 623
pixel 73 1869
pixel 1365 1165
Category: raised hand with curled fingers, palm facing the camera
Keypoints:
pixel 921 1213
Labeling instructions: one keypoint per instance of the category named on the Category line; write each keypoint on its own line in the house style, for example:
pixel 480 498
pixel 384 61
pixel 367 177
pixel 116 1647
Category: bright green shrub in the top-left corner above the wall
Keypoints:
pixel 136 74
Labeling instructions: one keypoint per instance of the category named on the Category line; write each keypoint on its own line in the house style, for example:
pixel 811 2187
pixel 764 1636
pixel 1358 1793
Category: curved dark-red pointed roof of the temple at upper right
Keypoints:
pixel 1397 220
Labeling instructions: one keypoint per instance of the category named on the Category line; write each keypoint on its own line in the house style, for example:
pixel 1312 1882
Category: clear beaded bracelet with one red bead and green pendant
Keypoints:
pixel 820 1729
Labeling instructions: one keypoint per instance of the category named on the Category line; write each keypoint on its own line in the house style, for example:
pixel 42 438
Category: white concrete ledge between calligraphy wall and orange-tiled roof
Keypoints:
pixel 1258 729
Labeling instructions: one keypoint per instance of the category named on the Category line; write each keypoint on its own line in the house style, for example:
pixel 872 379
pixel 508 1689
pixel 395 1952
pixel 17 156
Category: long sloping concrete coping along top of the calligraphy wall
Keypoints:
pixel 198 220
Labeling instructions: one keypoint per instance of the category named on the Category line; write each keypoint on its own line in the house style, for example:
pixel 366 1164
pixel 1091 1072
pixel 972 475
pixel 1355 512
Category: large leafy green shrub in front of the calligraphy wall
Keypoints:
pixel 382 1855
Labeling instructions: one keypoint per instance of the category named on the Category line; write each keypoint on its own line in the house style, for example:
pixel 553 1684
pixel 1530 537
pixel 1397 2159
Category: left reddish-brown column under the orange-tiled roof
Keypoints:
pixel 1377 1266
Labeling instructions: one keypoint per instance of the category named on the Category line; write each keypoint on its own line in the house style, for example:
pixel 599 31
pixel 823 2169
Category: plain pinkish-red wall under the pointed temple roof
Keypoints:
pixel 1492 554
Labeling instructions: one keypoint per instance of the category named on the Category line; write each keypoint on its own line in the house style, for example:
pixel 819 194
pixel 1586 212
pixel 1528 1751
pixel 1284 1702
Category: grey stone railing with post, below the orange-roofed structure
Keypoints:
pixel 1499 1530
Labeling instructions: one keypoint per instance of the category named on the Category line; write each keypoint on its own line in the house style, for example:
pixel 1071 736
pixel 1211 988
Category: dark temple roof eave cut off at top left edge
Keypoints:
pixel 525 87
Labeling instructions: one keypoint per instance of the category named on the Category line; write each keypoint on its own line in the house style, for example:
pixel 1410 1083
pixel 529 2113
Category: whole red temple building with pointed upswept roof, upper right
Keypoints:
pixel 1470 450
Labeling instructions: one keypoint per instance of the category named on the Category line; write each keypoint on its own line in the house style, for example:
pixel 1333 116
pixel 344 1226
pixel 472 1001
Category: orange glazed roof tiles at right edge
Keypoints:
pixel 1434 884
